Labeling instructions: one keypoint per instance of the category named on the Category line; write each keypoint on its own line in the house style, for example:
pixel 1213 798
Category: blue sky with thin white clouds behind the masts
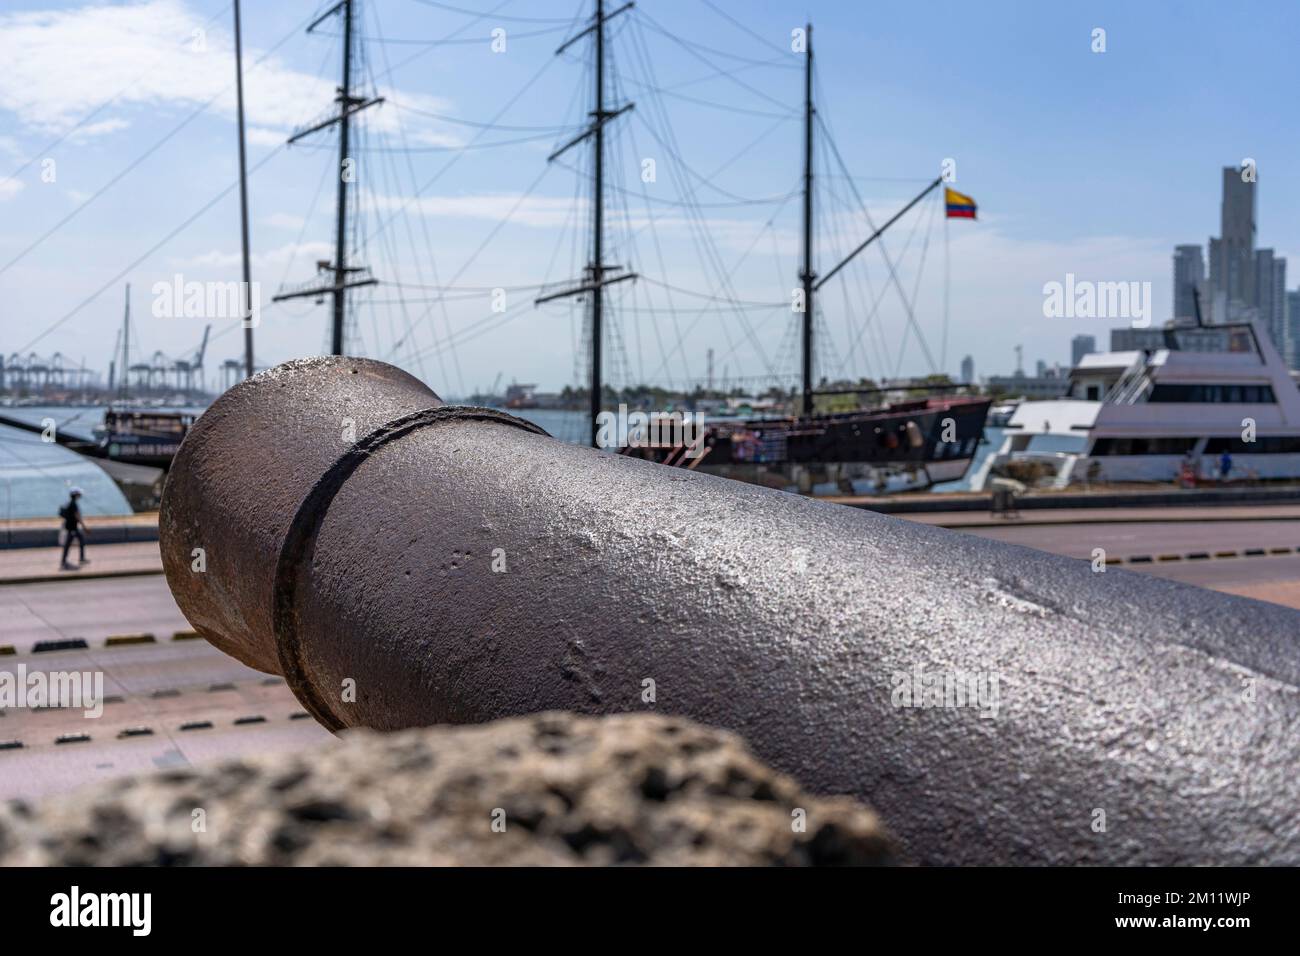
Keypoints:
pixel 119 140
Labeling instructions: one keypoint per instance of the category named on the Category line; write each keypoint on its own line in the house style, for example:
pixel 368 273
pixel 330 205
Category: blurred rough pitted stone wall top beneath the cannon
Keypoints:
pixel 547 790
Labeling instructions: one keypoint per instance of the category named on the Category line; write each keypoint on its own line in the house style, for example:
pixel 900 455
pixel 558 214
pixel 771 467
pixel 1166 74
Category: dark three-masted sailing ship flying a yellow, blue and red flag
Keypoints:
pixel 928 435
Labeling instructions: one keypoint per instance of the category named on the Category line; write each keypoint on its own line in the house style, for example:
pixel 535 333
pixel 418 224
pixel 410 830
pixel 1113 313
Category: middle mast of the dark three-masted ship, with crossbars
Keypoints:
pixel 597 278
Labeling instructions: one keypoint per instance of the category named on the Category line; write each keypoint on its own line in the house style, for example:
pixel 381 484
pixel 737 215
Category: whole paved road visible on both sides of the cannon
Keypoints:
pixel 179 703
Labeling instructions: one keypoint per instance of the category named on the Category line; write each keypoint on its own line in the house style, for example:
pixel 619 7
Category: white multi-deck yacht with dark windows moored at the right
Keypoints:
pixel 1154 414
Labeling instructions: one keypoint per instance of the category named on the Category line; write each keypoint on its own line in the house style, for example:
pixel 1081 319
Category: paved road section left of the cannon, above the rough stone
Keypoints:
pixel 168 704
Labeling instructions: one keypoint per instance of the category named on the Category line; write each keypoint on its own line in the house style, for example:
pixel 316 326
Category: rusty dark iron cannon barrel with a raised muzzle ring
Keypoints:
pixel 404 563
